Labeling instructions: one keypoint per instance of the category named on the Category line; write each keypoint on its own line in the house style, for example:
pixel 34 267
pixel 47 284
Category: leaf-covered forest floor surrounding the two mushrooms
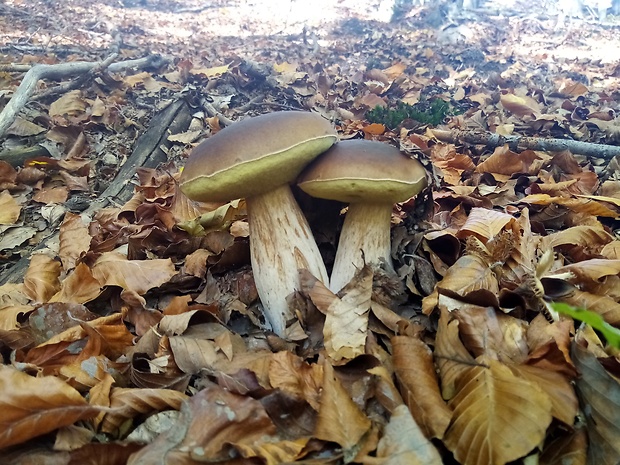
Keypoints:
pixel 130 332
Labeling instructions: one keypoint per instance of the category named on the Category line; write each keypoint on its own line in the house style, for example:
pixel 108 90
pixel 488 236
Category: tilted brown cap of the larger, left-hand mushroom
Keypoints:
pixel 255 155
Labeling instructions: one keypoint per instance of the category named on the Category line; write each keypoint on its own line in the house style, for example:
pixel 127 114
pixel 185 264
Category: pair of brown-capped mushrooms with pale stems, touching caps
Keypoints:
pixel 258 158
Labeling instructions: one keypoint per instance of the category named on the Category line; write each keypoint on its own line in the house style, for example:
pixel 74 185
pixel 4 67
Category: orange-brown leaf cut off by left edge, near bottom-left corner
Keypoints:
pixel 35 406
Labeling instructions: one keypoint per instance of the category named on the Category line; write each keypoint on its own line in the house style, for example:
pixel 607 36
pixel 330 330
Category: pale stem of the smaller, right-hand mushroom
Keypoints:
pixel 365 238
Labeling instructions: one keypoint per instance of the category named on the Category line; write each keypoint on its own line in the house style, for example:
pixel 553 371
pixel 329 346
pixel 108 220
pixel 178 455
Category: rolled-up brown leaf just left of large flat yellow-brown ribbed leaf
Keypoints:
pixel 415 371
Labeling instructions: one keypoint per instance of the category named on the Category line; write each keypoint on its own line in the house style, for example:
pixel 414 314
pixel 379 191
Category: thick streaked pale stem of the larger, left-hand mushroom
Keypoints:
pixel 281 243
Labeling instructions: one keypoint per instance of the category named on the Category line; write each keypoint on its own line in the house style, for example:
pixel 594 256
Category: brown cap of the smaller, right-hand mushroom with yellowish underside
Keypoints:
pixel 363 171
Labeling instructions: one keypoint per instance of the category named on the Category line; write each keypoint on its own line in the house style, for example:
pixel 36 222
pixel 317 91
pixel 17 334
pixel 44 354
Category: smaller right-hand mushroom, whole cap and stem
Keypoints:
pixel 371 176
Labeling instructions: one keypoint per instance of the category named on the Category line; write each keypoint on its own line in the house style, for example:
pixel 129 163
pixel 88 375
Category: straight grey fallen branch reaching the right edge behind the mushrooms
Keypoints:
pixel 532 143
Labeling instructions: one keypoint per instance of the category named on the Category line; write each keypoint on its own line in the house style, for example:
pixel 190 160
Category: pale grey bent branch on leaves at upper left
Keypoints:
pixel 61 71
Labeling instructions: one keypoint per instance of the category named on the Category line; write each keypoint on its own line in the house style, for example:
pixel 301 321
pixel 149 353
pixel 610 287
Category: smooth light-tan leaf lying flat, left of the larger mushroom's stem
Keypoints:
pixel 114 269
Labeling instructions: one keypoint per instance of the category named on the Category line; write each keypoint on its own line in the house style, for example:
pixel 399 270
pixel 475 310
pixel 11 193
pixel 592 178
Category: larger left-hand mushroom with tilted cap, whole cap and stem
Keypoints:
pixel 257 158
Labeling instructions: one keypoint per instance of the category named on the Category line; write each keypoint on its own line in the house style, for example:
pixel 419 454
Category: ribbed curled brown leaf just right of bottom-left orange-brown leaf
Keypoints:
pixel 130 402
